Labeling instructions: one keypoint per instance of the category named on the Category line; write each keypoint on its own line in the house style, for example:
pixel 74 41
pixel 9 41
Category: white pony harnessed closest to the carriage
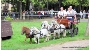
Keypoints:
pixel 58 28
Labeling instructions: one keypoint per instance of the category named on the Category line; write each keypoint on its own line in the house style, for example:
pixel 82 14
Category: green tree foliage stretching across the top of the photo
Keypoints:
pixel 40 4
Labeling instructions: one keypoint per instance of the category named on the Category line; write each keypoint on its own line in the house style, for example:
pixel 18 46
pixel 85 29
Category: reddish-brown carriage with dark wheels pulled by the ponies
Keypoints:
pixel 70 24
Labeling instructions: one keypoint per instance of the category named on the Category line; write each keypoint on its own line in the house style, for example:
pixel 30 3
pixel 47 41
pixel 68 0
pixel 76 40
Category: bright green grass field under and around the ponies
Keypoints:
pixel 17 40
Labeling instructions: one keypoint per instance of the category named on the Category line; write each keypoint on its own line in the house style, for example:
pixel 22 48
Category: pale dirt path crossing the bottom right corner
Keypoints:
pixel 73 45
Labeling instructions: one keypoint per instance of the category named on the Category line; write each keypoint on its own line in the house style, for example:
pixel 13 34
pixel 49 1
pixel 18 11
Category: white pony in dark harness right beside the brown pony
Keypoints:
pixel 40 34
